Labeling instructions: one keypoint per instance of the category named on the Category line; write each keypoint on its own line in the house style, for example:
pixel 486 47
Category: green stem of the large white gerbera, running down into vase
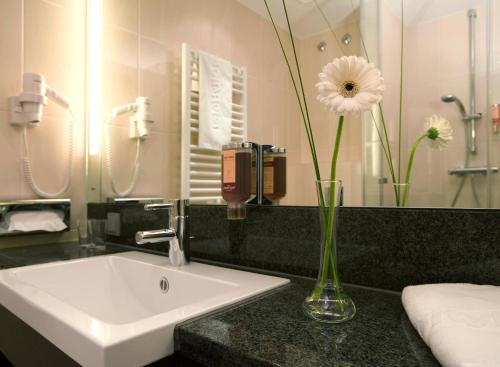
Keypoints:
pixel 328 256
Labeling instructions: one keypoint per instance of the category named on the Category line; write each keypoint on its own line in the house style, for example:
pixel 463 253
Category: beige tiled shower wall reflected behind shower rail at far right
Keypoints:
pixel 437 64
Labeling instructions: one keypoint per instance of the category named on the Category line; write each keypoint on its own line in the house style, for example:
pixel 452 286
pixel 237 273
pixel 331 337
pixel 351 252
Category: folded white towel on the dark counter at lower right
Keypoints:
pixel 459 322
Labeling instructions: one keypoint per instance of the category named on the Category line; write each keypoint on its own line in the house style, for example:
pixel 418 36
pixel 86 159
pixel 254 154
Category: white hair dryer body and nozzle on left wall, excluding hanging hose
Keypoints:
pixel 28 106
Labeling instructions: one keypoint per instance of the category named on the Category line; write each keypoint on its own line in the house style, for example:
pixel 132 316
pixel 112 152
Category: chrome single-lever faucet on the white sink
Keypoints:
pixel 178 228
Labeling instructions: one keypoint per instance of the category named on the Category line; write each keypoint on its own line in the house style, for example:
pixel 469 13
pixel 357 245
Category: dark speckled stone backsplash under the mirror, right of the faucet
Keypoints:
pixel 385 248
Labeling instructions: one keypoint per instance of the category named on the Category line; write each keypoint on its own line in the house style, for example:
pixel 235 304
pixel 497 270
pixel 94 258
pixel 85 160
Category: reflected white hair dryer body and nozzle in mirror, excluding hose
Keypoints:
pixel 140 118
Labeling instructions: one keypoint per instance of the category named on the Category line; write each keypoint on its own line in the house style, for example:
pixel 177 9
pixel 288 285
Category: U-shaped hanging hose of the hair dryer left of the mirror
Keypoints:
pixel 28 168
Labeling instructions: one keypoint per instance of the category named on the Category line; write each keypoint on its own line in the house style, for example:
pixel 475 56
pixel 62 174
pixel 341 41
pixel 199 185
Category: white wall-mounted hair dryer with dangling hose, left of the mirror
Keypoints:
pixel 27 110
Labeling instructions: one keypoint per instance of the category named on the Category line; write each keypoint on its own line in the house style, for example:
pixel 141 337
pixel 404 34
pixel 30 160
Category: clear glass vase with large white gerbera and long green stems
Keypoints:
pixel 347 85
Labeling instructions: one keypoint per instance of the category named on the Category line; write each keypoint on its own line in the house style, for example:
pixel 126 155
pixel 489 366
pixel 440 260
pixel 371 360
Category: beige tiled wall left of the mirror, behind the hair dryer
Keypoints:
pixel 47 37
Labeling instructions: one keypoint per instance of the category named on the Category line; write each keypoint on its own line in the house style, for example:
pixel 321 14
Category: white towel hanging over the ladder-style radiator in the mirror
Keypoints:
pixel 215 105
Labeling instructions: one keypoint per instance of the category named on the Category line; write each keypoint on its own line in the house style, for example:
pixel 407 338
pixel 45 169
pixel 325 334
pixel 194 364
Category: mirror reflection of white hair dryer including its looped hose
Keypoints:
pixel 139 130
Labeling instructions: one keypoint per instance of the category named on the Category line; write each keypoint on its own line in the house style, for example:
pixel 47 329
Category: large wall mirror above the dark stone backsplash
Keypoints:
pixel 151 96
